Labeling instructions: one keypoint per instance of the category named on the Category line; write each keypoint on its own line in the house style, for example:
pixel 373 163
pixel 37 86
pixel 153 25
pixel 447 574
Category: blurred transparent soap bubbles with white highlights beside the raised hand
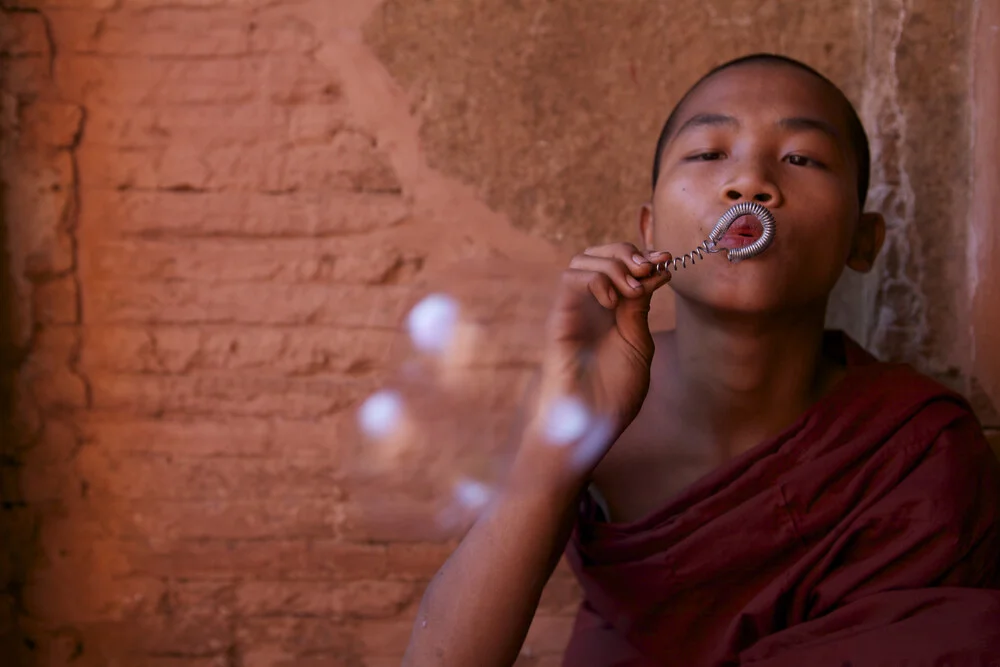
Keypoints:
pixel 441 430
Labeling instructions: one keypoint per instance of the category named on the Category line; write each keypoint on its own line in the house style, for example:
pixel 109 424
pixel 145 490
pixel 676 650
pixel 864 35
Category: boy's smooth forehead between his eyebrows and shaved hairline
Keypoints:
pixel 768 91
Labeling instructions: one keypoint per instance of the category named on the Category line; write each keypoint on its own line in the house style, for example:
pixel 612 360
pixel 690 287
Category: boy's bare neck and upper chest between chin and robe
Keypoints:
pixel 747 377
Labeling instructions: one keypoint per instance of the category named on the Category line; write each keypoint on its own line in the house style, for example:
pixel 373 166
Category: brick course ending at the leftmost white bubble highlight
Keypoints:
pixel 230 393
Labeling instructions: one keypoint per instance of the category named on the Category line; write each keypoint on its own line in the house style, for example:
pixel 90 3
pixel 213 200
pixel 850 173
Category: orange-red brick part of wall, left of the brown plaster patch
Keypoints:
pixel 216 214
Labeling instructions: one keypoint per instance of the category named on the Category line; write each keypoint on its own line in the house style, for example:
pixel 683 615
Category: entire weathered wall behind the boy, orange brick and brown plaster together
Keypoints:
pixel 215 215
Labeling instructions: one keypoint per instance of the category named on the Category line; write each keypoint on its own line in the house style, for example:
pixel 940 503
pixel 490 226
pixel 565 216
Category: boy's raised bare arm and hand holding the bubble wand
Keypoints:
pixel 479 606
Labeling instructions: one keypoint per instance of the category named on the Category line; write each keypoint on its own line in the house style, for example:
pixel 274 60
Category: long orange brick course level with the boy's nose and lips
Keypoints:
pixel 236 214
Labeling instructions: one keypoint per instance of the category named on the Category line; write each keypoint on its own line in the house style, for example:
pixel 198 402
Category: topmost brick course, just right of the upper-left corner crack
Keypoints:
pixel 165 32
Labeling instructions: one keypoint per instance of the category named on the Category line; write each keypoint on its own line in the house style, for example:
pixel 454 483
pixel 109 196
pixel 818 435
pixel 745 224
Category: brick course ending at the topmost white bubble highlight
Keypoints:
pixel 353 307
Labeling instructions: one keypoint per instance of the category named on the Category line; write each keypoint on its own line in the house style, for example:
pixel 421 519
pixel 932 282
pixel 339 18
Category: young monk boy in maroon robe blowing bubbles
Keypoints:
pixel 759 491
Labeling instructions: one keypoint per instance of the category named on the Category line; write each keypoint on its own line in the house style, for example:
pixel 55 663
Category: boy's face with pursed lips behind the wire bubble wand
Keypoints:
pixel 776 135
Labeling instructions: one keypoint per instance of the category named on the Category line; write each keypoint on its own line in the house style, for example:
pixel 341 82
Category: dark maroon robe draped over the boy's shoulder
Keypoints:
pixel 868 533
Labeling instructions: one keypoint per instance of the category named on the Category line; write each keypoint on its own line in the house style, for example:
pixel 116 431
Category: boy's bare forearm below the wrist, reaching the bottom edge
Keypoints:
pixel 479 606
